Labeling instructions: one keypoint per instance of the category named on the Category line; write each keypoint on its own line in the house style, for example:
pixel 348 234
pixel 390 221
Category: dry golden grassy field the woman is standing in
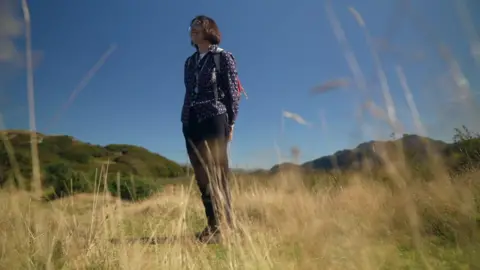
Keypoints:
pixel 283 224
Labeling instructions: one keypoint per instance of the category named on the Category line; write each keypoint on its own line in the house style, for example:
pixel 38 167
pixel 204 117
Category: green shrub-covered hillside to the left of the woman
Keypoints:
pixel 63 158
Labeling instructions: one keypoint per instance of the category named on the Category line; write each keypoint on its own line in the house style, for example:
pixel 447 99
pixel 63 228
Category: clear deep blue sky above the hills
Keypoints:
pixel 283 49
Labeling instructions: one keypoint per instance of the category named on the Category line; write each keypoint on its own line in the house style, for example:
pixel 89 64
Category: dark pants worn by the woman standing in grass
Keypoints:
pixel 207 143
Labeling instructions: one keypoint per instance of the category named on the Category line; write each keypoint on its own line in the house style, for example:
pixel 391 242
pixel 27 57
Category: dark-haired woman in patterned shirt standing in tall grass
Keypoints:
pixel 209 112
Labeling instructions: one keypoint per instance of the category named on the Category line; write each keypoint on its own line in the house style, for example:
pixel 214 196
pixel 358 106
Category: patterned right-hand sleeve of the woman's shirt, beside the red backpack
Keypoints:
pixel 230 86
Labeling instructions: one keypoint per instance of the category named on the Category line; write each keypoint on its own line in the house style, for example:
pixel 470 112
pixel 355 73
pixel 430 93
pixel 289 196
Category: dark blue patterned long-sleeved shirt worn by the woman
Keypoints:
pixel 201 101
